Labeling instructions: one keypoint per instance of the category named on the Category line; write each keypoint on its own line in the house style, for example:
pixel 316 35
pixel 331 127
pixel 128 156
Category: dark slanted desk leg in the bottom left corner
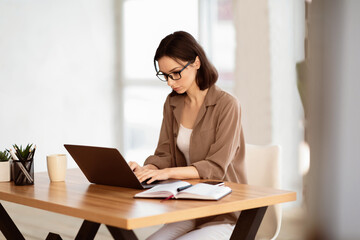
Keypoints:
pixel 8 227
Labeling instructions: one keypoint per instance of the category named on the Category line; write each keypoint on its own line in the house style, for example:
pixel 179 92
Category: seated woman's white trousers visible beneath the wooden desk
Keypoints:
pixel 185 230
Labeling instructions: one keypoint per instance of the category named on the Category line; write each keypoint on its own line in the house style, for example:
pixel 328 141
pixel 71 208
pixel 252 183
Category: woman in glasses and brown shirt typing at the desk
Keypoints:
pixel 201 134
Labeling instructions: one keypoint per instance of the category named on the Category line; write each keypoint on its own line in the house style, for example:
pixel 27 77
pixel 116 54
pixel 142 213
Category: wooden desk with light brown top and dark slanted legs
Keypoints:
pixel 120 212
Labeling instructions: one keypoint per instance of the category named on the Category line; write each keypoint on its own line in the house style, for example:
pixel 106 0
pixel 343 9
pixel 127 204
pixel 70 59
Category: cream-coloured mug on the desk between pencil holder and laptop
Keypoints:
pixel 56 164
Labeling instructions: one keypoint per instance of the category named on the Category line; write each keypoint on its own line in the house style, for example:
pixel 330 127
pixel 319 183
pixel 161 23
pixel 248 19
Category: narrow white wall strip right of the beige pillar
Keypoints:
pixel 286 23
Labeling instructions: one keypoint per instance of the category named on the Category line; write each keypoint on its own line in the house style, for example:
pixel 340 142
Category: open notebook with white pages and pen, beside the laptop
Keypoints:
pixel 201 191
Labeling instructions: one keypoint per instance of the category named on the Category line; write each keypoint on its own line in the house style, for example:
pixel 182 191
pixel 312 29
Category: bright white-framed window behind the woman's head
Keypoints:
pixel 146 22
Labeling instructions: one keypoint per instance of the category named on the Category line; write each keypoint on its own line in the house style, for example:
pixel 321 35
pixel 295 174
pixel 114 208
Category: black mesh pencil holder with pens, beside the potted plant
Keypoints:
pixel 23 172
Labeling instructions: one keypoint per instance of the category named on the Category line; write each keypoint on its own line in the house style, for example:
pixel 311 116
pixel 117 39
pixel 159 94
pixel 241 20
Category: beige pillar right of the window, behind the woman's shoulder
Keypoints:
pixel 252 69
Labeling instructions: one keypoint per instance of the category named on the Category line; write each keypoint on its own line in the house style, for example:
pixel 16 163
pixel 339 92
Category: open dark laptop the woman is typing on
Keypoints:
pixel 105 166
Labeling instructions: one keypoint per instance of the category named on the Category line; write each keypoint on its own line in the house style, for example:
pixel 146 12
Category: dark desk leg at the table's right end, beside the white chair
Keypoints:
pixel 248 224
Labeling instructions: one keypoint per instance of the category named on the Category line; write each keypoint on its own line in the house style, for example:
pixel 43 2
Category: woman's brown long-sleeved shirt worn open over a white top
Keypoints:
pixel 217 146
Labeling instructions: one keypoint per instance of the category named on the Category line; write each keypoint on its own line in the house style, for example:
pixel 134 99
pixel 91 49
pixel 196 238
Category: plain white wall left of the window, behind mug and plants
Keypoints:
pixel 56 75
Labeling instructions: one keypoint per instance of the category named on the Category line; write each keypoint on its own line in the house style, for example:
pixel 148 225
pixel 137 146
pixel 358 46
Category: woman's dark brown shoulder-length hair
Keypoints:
pixel 181 45
